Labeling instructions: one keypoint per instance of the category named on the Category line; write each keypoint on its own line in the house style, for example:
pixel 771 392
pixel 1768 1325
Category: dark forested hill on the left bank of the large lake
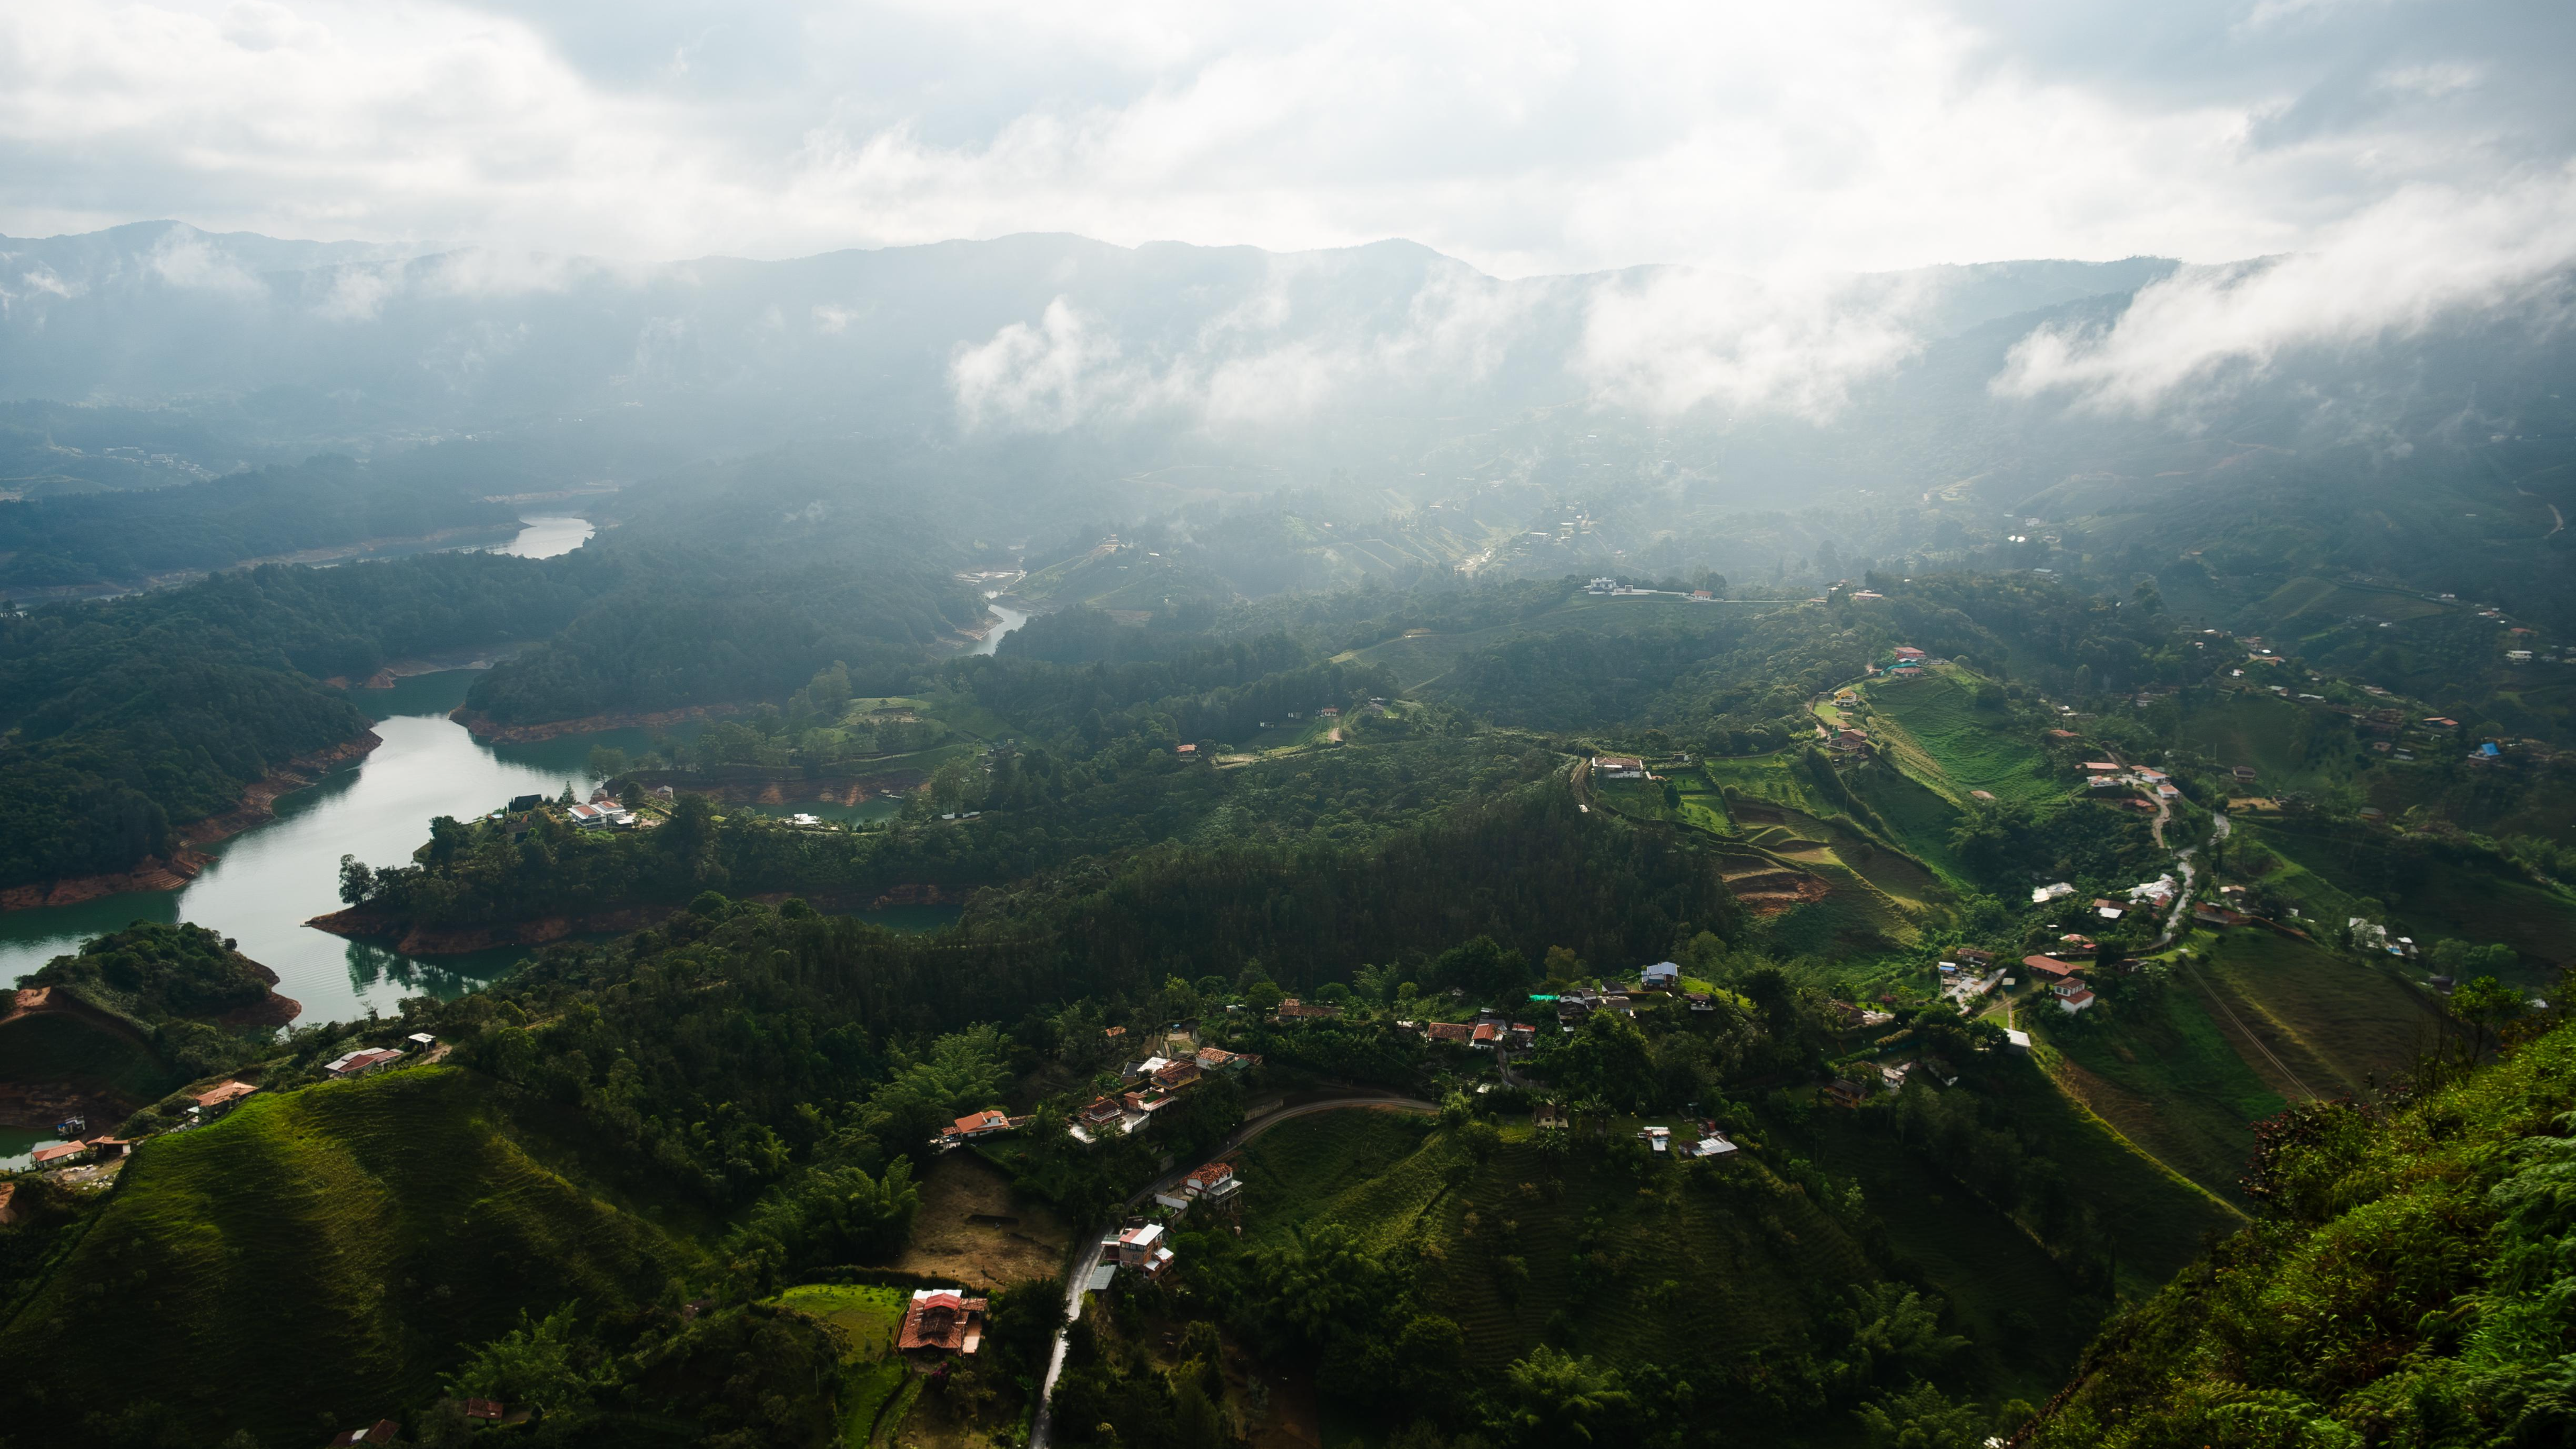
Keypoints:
pixel 133 718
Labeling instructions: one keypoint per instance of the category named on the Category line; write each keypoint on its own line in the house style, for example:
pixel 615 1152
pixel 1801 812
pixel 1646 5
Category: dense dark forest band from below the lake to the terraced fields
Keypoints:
pixel 705 1035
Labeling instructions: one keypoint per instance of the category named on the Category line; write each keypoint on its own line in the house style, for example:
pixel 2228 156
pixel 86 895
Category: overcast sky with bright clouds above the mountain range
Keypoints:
pixel 1768 138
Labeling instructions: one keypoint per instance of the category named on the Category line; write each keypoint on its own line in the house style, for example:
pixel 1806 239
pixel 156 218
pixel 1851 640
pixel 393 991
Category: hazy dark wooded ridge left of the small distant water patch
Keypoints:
pixel 326 501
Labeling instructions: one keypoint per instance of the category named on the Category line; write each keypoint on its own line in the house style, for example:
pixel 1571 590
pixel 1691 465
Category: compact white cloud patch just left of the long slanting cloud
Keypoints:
pixel 1683 339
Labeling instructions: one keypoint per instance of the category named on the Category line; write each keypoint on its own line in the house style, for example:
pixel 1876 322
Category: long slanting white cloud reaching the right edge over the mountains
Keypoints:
pixel 2394 272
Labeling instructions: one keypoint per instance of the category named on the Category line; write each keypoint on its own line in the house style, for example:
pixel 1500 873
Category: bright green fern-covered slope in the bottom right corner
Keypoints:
pixel 2405 1283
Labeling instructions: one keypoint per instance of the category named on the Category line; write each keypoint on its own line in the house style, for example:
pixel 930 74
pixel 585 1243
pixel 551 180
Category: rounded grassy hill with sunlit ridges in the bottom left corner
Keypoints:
pixel 323 1257
